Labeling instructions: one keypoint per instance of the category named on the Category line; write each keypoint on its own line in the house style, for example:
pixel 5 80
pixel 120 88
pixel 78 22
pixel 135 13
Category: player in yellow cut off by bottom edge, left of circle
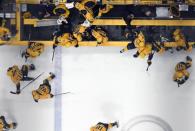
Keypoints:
pixel 103 126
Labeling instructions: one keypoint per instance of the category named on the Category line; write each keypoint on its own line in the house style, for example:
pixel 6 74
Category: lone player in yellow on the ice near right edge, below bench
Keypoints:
pixel 181 74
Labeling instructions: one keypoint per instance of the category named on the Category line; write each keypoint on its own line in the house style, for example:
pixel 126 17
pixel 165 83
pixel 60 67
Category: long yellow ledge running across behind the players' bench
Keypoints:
pixel 143 22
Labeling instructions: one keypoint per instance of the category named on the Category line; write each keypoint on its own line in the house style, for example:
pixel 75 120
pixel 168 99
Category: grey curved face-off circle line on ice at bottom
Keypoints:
pixel 147 118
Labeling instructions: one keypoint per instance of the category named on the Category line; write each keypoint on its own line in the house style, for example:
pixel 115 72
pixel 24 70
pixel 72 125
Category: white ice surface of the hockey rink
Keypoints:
pixel 106 86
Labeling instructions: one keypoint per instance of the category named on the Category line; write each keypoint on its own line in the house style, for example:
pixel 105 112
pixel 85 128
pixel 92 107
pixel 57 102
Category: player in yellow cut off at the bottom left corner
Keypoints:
pixel 4 126
